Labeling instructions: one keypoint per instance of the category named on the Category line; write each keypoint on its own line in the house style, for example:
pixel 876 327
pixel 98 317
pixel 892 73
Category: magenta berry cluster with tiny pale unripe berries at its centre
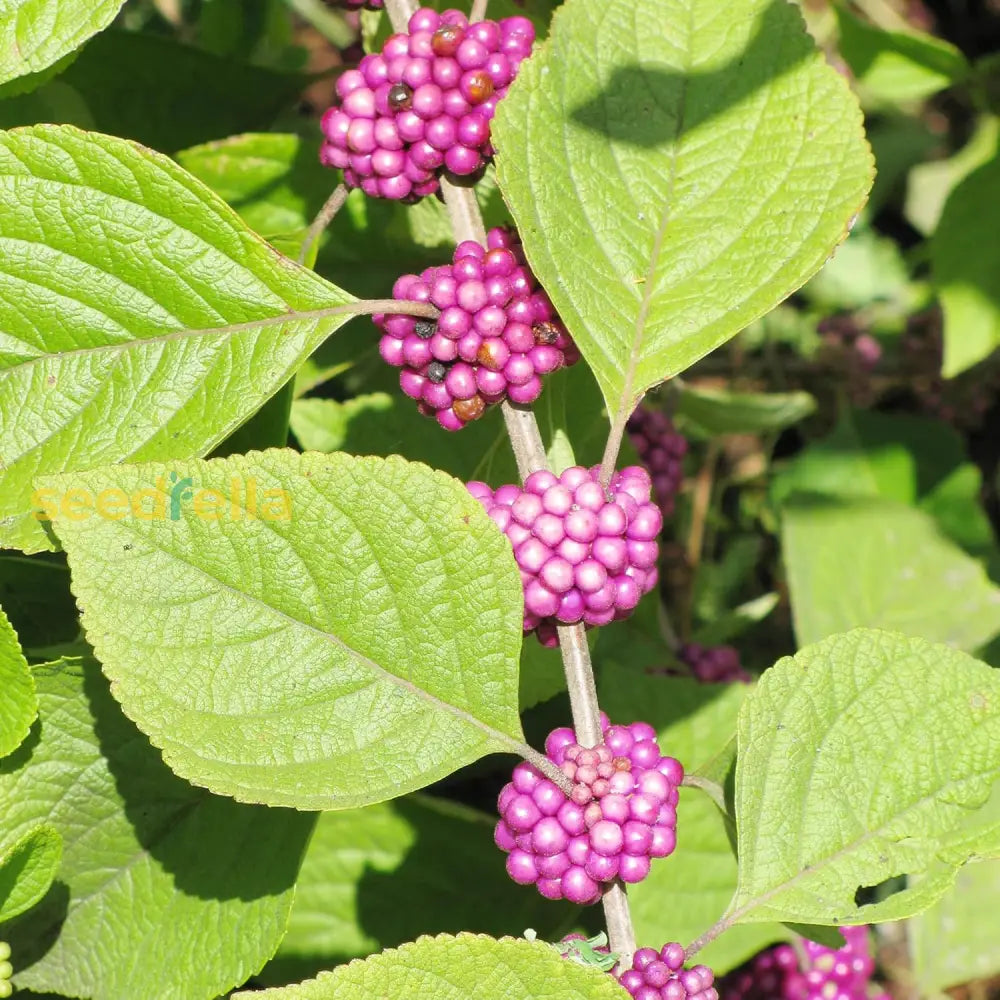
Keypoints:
pixel 622 813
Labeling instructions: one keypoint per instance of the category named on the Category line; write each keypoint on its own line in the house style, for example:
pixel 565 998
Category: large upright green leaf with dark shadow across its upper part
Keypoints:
pixel 700 173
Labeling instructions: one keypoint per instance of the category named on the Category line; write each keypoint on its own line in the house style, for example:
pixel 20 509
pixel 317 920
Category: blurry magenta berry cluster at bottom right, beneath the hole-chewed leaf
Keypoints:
pixel 777 974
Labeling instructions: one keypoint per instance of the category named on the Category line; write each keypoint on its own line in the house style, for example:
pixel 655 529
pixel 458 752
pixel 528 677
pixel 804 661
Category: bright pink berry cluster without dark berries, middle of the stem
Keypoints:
pixel 583 555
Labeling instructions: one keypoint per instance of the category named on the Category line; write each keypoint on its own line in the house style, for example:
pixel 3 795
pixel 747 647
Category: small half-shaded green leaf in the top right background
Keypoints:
pixel 892 66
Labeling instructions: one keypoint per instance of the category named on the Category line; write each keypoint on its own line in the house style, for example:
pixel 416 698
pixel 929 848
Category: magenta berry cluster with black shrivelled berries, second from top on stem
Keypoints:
pixel 496 336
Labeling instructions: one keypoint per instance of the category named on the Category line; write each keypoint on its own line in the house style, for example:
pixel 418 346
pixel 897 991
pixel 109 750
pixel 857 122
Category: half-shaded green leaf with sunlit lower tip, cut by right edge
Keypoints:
pixel 965 259
